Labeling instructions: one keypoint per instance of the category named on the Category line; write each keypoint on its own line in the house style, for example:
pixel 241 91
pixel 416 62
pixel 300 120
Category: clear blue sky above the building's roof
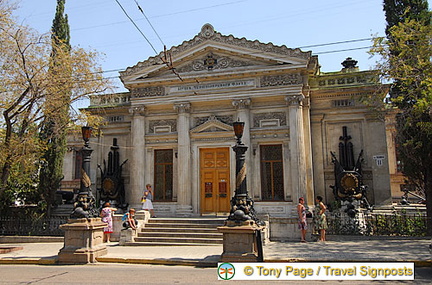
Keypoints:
pixel 103 26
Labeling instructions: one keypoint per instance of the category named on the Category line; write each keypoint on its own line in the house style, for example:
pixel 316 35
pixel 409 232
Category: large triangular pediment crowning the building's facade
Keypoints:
pixel 209 53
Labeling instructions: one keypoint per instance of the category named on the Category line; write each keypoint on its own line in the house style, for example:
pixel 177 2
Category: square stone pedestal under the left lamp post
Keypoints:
pixel 83 241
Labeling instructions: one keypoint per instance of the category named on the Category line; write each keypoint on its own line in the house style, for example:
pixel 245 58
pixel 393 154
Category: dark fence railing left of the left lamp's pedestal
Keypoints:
pixel 32 226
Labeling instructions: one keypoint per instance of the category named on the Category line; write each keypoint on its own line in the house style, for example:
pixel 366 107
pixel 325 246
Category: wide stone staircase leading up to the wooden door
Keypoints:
pixel 180 232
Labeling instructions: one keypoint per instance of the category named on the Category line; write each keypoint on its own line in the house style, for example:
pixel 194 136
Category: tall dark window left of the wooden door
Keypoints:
pixel 163 175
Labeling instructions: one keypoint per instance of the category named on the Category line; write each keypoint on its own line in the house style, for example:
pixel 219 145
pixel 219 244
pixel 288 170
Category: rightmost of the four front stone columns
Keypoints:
pixel 297 147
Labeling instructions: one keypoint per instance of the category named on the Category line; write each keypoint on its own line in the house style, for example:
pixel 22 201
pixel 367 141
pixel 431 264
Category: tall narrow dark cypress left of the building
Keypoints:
pixel 53 127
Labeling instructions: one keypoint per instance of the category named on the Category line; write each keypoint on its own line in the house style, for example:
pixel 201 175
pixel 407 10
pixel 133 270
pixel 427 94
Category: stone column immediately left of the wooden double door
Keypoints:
pixel 184 187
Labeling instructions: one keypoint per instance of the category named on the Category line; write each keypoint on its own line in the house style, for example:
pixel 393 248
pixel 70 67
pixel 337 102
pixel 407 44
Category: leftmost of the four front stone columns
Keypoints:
pixel 137 173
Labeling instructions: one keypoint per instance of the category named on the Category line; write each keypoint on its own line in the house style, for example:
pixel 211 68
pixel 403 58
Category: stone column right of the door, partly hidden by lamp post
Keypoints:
pixel 243 115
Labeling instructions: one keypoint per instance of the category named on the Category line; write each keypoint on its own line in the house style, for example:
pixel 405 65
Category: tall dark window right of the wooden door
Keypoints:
pixel 272 188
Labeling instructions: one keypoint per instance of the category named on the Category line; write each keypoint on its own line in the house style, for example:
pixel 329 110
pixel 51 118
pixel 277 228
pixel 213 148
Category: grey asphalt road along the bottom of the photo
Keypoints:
pixel 148 274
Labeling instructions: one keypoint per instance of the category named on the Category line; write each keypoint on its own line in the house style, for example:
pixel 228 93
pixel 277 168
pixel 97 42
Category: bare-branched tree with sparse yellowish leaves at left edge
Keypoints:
pixel 31 83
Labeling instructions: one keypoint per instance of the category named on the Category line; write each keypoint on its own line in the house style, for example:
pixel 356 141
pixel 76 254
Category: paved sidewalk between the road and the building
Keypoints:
pixel 354 250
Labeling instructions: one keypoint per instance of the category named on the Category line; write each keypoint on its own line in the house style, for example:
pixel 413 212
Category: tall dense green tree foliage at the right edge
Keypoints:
pixel 406 62
